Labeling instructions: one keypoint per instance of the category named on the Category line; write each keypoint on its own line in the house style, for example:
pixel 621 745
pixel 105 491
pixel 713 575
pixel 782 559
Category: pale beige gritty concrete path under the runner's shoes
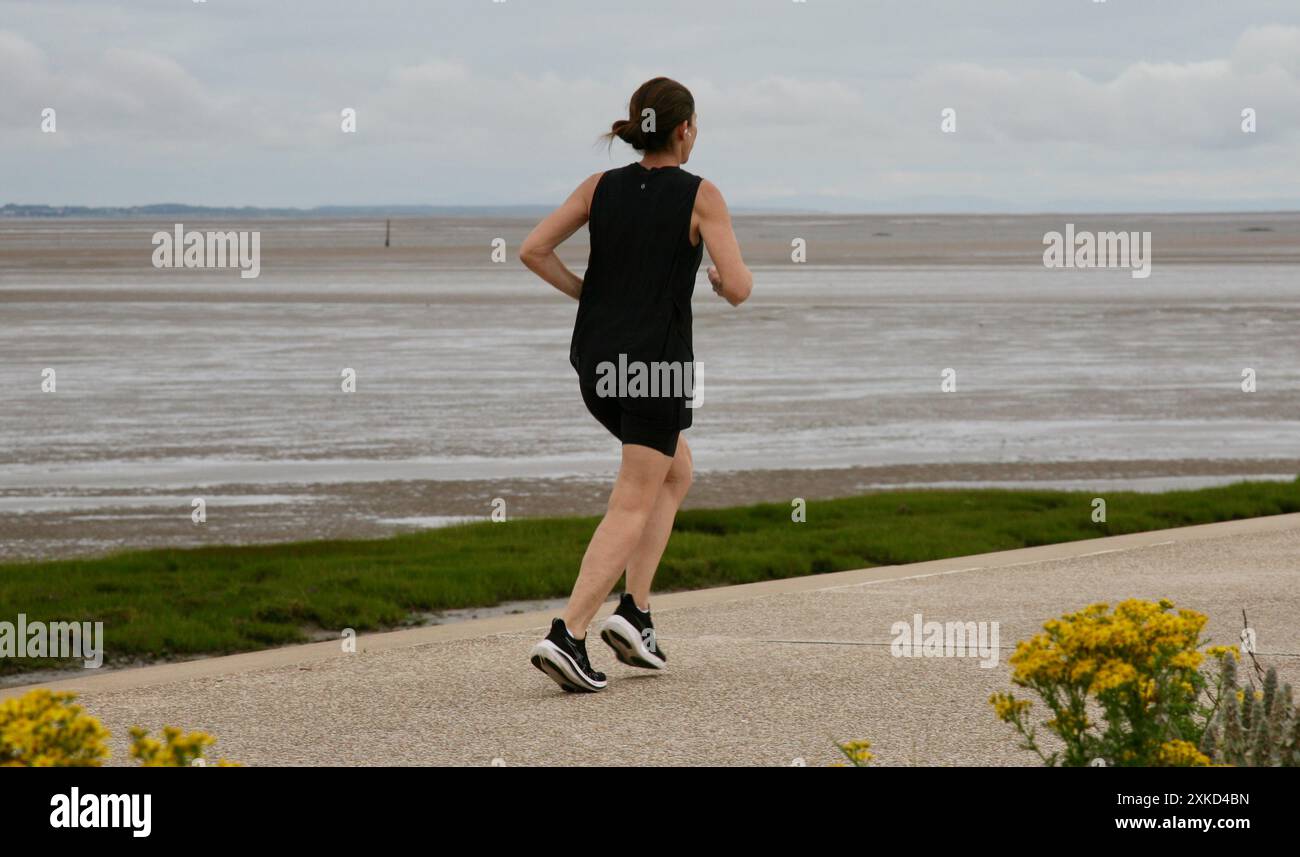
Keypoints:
pixel 761 674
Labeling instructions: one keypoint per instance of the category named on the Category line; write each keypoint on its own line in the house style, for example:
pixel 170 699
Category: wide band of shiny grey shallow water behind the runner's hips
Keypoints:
pixel 825 367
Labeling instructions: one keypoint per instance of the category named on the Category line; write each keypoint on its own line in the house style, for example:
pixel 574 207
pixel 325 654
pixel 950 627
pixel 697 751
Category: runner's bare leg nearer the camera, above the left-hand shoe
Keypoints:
pixel 632 503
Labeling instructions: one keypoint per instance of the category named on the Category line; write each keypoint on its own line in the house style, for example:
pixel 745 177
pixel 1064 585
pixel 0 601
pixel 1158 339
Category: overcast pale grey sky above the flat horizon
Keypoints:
pixel 835 105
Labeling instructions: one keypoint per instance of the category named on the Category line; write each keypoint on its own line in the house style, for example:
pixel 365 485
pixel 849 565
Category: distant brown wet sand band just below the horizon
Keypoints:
pixel 41 248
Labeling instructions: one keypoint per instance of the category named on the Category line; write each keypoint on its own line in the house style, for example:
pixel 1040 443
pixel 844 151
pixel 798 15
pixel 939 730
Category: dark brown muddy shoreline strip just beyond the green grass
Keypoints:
pixel 79 523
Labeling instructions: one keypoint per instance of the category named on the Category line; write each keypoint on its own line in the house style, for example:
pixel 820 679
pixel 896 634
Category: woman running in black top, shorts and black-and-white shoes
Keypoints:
pixel 649 226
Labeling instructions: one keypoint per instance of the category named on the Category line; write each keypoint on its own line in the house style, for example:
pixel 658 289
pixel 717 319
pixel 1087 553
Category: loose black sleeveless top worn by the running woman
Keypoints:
pixel 642 272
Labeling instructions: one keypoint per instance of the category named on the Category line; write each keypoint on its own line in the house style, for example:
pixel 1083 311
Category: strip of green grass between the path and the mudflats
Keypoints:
pixel 166 604
